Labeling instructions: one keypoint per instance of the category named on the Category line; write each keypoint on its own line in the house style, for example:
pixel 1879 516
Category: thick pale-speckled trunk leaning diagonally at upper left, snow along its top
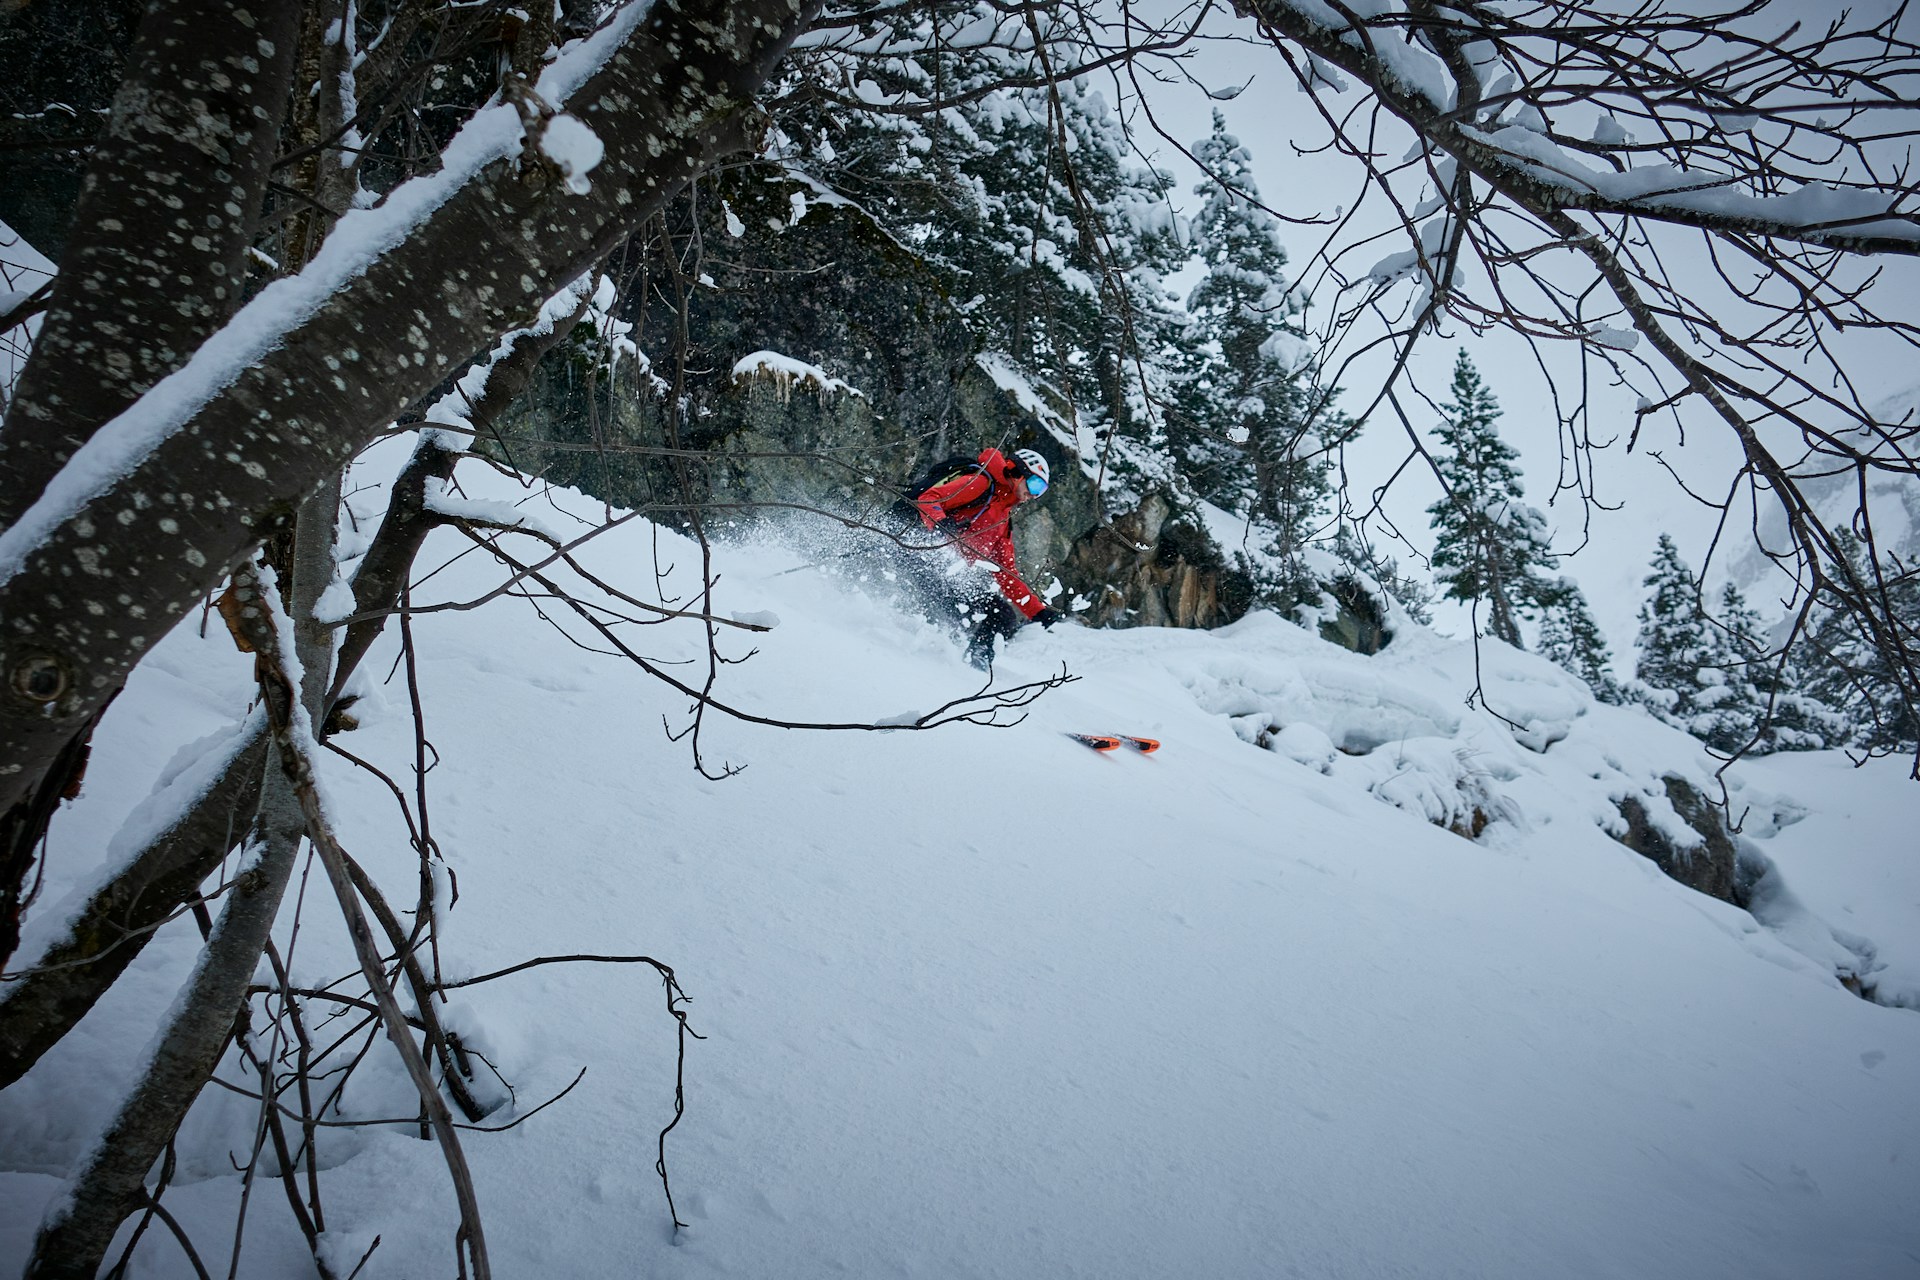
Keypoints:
pixel 212 460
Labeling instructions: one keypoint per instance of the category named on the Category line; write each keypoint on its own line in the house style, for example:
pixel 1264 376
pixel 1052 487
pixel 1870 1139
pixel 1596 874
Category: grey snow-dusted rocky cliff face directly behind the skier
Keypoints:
pixel 782 437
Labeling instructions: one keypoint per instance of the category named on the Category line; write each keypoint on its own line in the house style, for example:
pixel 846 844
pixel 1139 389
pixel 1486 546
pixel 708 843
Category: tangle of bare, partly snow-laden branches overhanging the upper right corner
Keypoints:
pixel 1708 204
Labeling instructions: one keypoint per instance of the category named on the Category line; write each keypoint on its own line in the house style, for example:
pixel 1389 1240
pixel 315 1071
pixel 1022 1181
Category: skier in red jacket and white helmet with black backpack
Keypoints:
pixel 971 504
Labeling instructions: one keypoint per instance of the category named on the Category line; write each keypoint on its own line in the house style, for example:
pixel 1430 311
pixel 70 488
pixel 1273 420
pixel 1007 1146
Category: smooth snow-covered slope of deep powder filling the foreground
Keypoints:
pixel 982 1003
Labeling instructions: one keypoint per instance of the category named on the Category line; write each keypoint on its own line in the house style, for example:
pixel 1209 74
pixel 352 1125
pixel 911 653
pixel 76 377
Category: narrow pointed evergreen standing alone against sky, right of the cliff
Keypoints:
pixel 1489 546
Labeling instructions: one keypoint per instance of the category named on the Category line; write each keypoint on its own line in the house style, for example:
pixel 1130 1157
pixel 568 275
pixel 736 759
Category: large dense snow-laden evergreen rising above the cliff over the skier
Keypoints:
pixel 1047 239
